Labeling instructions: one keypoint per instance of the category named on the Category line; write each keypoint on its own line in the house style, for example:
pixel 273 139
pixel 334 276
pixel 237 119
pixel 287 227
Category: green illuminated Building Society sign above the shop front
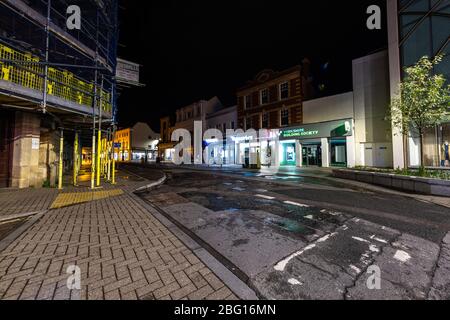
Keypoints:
pixel 339 128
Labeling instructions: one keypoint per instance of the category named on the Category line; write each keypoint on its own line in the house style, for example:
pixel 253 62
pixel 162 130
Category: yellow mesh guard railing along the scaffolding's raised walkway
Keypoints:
pixel 61 83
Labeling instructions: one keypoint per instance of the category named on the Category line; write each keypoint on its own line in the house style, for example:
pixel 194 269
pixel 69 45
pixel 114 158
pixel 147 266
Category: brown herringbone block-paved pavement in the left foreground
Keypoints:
pixel 122 250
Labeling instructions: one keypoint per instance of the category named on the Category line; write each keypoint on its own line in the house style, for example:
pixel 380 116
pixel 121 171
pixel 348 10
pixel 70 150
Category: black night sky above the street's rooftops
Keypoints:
pixel 192 50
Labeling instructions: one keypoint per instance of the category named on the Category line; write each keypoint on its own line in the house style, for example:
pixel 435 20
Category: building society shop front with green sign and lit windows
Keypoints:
pixel 321 144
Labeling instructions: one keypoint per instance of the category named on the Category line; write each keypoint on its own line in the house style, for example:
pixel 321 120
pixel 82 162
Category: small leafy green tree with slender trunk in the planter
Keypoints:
pixel 423 100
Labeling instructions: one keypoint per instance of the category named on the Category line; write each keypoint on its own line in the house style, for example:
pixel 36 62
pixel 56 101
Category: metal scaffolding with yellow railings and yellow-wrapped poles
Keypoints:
pixel 39 54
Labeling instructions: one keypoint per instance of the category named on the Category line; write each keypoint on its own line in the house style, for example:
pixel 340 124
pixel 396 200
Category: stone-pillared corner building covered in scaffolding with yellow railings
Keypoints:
pixel 57 89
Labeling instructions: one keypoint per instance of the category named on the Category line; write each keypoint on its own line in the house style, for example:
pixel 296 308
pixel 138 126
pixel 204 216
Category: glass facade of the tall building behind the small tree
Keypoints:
pixel 424 30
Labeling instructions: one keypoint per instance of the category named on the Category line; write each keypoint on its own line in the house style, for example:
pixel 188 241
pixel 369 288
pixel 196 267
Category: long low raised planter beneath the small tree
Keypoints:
pixel 428 186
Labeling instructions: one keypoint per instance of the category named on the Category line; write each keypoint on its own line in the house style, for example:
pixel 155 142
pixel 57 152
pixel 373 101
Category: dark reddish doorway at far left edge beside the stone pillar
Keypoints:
pixel 6 129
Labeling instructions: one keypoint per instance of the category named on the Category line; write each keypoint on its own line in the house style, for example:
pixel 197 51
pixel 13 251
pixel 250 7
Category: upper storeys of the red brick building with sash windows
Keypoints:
pixel 273 99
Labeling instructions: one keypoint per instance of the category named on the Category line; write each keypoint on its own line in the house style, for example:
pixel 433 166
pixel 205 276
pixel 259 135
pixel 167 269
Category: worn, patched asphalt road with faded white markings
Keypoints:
pixel 311 238
